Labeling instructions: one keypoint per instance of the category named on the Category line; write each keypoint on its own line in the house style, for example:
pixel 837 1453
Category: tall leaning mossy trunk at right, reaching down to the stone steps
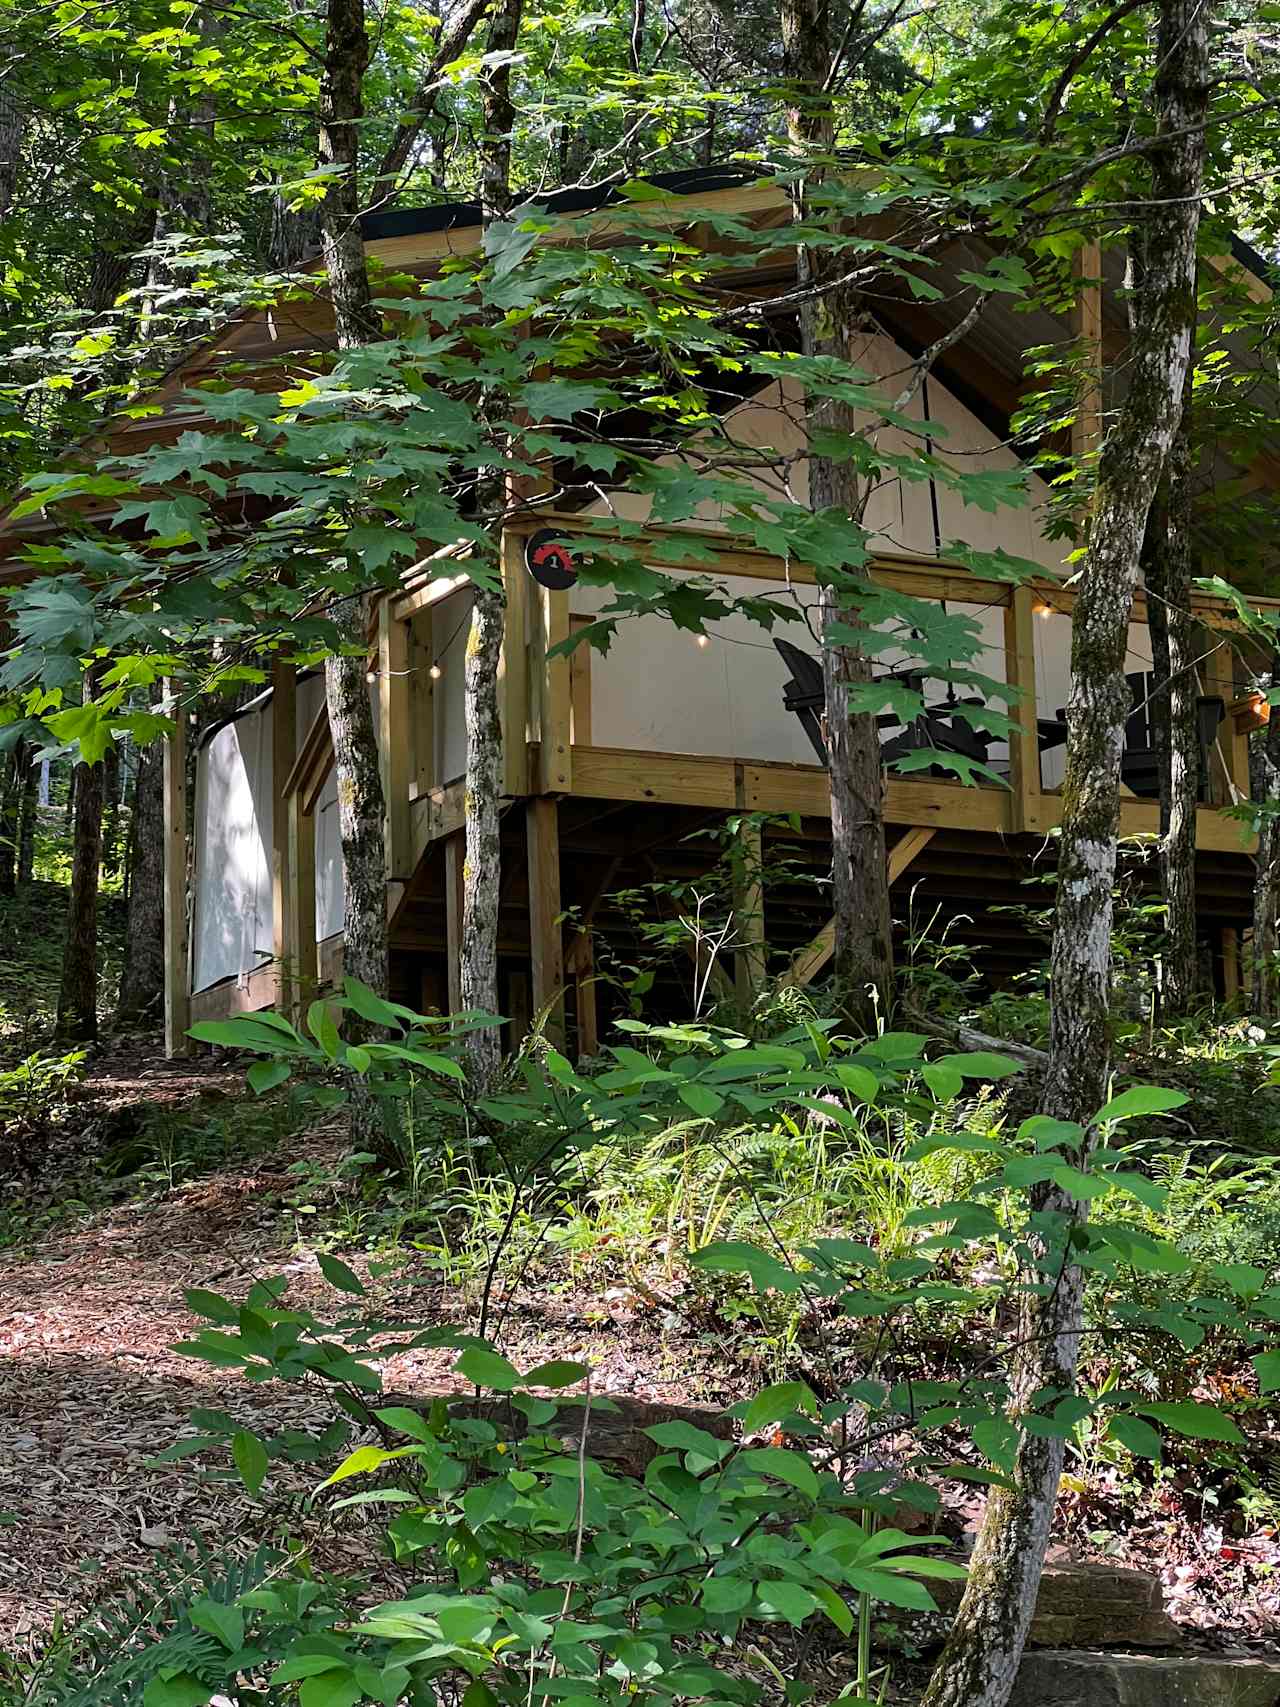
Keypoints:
pixel 980 1662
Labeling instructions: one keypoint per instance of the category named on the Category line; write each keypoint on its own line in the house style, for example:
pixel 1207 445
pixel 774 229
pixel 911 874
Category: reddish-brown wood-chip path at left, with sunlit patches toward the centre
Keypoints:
pixel 91 1387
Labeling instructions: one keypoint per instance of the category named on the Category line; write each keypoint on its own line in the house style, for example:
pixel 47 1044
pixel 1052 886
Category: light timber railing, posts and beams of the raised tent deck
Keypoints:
pixel 559 784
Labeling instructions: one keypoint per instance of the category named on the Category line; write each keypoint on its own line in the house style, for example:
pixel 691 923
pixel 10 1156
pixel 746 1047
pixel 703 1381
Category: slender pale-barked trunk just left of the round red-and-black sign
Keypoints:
pixel 479 972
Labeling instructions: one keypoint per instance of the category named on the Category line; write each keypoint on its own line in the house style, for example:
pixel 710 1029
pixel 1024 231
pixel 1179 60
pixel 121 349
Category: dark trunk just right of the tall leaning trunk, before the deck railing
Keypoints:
pixel 1168 571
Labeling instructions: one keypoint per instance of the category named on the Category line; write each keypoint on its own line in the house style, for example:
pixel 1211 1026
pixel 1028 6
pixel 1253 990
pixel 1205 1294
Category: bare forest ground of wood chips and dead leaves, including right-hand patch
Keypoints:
pixel 91 1387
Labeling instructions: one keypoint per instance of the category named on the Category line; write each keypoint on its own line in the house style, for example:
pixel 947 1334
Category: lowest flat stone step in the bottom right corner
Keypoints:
pixel 1073 1679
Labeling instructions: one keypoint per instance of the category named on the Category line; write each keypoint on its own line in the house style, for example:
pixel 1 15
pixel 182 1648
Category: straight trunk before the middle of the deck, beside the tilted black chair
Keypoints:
pixel 829 327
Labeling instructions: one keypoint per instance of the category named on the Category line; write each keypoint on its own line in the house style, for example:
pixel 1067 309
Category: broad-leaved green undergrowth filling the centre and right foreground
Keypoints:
pixel 513 1564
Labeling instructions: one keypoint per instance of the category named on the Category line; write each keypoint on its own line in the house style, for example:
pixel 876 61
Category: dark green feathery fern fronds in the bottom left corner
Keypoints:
pixel 108 1660
